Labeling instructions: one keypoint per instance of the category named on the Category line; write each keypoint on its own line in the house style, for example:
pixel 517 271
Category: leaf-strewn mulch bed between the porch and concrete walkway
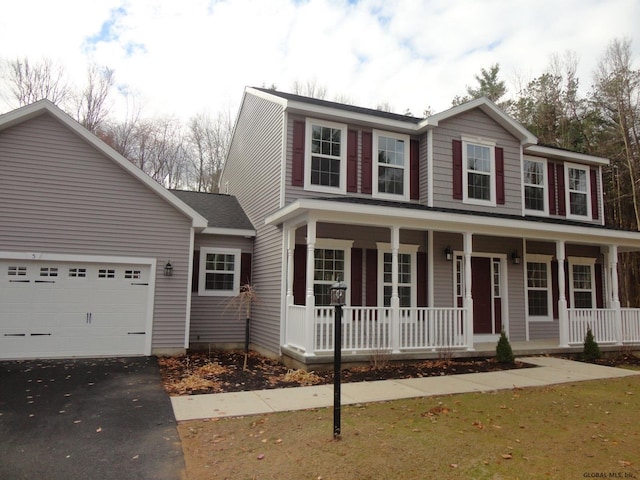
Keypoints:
pixel 224 371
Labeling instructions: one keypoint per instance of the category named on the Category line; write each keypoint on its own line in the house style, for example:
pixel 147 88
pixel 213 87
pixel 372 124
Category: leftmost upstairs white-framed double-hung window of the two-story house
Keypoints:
pixel 326 156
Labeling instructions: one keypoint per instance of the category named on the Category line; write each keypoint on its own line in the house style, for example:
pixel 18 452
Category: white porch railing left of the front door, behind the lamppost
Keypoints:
pixel 369 329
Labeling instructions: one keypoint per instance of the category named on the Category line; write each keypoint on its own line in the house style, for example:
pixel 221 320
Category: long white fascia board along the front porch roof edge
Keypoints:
pixel 409 218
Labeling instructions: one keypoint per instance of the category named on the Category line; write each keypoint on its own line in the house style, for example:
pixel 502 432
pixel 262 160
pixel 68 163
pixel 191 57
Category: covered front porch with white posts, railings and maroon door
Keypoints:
pixel 467 264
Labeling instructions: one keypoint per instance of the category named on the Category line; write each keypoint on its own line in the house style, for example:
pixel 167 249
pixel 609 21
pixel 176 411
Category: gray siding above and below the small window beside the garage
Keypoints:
pixel 217 320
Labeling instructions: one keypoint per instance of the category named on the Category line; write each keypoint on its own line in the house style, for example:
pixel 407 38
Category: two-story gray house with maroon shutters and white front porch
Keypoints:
pixel 446 230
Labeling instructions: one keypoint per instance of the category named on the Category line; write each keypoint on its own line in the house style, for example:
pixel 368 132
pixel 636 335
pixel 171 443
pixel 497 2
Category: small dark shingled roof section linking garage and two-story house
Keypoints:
pixel 223 212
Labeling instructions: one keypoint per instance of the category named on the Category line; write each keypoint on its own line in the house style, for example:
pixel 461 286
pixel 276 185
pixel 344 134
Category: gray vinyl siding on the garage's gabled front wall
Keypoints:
pixel 58 194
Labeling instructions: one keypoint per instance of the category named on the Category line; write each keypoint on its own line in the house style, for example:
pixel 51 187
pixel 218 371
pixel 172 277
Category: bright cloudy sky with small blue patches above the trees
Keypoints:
pixel 187 56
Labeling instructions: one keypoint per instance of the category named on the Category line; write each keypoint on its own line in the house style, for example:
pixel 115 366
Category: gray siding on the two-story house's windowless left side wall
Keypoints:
pixel 253 172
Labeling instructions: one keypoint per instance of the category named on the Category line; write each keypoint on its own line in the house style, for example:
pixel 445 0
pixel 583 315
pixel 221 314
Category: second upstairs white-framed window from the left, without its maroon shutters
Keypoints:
pixel 391 168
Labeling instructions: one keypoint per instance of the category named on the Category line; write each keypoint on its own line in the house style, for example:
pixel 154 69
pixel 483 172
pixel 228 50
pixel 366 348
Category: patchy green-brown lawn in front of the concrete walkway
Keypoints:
pixel 570 431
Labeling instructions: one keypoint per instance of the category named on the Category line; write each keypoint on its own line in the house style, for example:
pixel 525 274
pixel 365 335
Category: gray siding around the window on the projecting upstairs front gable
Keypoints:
pixel 475 123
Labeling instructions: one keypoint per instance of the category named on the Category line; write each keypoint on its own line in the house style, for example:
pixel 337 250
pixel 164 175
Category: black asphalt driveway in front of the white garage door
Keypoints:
pixel 105 418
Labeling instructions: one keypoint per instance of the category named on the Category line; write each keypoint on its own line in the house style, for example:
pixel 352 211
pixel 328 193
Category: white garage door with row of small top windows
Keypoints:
pixel 67 309
